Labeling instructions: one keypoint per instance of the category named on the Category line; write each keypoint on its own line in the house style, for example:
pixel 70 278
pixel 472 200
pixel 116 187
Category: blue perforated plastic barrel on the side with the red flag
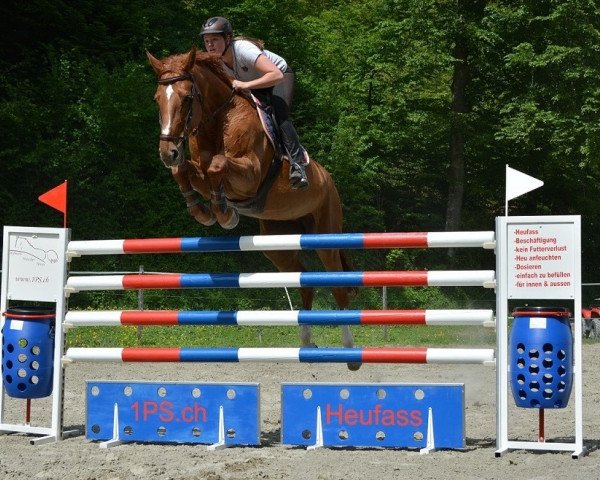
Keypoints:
pixel 28 351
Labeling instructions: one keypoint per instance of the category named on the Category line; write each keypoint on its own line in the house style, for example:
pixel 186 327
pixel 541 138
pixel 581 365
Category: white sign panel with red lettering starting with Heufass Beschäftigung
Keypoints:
pixel 541 260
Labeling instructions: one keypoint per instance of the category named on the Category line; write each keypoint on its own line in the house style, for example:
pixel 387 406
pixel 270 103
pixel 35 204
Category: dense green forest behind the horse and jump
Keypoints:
pixel 414 106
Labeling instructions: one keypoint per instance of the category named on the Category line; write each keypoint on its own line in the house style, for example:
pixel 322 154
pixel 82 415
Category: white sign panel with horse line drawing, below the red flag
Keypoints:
pixel 35 264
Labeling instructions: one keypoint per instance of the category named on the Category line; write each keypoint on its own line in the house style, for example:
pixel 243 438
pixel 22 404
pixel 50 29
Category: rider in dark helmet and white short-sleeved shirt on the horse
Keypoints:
pixel 267 75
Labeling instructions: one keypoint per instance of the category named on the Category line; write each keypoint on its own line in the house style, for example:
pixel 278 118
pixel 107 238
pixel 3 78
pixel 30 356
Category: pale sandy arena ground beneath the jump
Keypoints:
pixel 78 458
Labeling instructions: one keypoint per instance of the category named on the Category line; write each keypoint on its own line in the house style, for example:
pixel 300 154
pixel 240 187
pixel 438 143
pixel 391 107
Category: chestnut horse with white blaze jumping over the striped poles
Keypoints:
pixel 232 167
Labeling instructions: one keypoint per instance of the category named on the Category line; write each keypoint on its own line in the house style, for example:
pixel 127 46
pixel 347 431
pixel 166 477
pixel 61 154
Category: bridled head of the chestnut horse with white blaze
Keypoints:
pixel 176 95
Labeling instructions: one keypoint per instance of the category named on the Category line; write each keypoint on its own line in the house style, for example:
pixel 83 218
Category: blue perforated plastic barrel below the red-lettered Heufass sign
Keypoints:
pixel 541 357
